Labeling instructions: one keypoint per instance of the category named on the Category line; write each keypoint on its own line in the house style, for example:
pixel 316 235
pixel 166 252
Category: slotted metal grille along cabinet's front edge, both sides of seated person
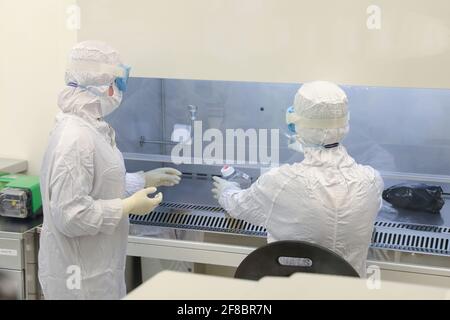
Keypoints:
pixel 386 235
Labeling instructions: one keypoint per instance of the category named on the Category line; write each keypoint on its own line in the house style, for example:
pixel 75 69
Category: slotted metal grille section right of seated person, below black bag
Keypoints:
pixel 411 237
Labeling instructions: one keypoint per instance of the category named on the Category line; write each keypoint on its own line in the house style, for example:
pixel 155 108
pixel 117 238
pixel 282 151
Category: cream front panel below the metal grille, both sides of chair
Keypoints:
pixel 228 251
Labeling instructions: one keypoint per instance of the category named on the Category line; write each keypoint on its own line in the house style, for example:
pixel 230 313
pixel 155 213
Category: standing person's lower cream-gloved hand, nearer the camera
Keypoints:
pixel 140 204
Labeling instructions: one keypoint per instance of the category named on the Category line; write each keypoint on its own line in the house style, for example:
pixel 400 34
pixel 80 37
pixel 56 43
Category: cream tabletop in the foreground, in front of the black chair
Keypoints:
pixel 180 286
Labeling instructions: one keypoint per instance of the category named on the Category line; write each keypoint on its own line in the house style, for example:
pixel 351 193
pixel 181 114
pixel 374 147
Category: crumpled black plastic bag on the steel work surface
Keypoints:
pixel 418 197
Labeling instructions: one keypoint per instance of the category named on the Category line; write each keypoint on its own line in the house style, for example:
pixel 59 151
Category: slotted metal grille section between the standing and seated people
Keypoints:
pixel 197 217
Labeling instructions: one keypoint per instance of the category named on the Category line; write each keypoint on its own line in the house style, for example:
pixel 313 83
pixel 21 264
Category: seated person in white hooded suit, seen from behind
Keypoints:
pixel 328 198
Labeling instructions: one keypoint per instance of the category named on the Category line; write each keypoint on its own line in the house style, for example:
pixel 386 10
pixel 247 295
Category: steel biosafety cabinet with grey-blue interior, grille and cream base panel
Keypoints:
pixel 401 132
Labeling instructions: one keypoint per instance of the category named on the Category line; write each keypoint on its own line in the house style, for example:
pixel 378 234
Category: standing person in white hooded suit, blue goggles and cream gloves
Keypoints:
pixel 87 195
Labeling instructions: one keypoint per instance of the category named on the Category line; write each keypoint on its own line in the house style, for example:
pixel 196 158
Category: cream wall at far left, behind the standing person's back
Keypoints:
pixel 34 42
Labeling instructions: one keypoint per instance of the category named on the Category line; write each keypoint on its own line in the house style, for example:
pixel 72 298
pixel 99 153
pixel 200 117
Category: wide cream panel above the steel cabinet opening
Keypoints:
pixel 278 40
